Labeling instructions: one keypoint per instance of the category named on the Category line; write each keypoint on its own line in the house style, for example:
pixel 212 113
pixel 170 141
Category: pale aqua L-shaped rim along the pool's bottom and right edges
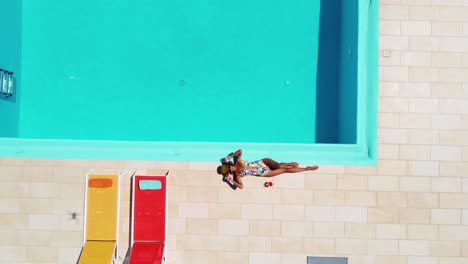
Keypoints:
pixel 361 153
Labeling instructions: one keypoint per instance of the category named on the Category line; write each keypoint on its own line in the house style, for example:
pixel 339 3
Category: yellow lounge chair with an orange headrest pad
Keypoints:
pixel 101 236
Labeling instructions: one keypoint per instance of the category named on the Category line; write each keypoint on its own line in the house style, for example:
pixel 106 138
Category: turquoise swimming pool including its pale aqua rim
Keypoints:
pixel 182 81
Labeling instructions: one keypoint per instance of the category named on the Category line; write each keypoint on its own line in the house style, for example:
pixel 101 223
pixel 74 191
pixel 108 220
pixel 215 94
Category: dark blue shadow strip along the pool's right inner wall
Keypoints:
pixel 336 120
